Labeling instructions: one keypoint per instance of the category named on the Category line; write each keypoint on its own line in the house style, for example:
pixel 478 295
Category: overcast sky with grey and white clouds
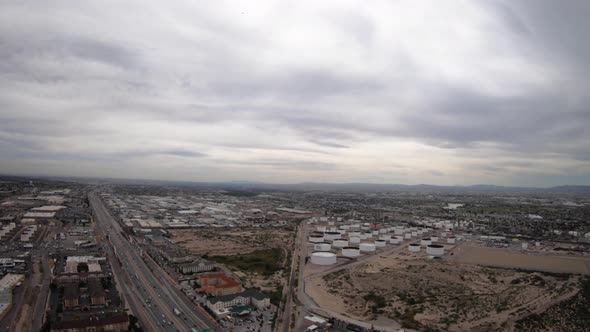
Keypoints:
pixel 438 92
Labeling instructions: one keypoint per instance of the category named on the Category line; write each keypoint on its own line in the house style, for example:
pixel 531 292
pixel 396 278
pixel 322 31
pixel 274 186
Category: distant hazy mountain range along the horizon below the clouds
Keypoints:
pixel 314 186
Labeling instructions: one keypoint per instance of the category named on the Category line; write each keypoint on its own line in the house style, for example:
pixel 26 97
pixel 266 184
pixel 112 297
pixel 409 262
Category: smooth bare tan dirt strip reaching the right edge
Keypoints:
pixel 499 257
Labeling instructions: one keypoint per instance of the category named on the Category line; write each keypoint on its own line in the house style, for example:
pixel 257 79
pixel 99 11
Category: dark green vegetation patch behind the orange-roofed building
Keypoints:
pixel 264 261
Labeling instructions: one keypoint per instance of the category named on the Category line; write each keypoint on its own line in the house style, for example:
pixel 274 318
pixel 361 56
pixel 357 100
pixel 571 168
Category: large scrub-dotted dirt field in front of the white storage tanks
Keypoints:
pixel 420 292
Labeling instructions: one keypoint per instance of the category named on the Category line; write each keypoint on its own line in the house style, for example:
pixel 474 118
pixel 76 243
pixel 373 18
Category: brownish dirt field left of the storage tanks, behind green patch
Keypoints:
pixel 230 242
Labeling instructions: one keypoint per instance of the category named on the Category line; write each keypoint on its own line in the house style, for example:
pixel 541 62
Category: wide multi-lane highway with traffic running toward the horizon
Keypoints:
pixel 150 294
